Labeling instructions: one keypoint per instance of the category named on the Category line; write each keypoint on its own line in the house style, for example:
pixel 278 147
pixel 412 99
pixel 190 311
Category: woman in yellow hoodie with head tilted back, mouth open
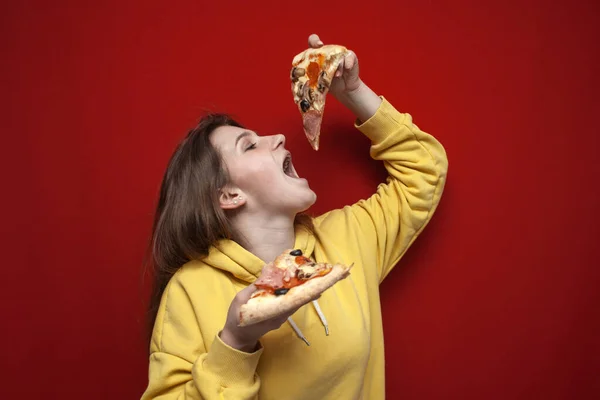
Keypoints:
pixel 228 204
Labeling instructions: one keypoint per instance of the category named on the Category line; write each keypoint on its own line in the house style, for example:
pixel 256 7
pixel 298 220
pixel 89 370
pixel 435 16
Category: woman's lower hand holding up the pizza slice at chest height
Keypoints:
pixel 245 338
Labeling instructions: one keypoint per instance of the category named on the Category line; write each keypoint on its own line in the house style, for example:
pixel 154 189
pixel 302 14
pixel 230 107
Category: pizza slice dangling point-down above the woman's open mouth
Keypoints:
pixel 312 72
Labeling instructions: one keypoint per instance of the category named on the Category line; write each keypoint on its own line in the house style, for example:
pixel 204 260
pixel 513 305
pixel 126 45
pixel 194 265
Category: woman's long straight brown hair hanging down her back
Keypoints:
pixel 188 218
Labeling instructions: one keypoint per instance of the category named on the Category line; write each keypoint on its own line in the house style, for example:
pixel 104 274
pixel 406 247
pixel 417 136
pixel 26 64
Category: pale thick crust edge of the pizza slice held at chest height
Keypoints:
pixel 264 307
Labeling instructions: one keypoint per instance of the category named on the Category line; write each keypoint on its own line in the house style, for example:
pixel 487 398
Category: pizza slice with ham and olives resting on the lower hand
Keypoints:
pixel 287 283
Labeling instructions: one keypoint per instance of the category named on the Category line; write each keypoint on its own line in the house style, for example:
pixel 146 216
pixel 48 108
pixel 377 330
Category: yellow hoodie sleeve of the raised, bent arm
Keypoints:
pixel 381 228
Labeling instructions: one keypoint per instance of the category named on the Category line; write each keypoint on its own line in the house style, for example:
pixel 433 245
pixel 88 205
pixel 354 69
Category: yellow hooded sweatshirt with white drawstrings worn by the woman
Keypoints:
pixel 189 361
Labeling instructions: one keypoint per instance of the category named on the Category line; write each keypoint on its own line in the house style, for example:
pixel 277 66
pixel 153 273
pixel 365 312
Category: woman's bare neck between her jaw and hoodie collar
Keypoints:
pixel 265 236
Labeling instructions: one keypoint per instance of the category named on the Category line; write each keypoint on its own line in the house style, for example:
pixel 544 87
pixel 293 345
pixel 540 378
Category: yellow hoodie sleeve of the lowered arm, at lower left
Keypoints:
pixel 181 366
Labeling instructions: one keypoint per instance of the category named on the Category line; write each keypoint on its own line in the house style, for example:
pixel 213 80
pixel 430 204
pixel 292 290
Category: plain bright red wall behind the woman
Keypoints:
pixel 497 300
